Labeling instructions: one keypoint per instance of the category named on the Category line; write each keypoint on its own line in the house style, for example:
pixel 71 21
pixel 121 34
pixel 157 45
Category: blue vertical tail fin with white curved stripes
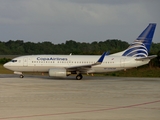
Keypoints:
pixel 141 46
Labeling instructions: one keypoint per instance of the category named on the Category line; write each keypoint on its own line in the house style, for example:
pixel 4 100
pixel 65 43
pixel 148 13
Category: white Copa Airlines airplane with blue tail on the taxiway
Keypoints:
pixel 64 65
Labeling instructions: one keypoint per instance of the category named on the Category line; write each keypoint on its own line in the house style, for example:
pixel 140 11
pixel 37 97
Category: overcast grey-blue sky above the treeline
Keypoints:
pixel 79 20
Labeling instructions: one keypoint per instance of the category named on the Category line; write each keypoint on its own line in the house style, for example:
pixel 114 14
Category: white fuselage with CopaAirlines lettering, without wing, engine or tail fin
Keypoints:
pixel 42 63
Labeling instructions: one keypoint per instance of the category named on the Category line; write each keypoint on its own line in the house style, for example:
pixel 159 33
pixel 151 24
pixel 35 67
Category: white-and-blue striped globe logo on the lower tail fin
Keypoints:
pixel 137 49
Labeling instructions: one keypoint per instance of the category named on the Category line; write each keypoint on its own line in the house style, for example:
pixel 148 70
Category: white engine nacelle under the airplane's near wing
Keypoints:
pixel 58 72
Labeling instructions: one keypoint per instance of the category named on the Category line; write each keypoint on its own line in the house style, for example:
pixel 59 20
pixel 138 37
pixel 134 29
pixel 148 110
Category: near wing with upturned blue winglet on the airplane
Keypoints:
pixel 84 68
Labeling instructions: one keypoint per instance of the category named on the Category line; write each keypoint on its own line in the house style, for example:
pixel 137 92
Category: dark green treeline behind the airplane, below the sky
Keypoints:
pixel 19 47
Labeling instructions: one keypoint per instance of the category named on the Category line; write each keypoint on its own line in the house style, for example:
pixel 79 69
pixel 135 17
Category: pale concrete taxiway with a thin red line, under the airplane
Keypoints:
pixel 93 98
